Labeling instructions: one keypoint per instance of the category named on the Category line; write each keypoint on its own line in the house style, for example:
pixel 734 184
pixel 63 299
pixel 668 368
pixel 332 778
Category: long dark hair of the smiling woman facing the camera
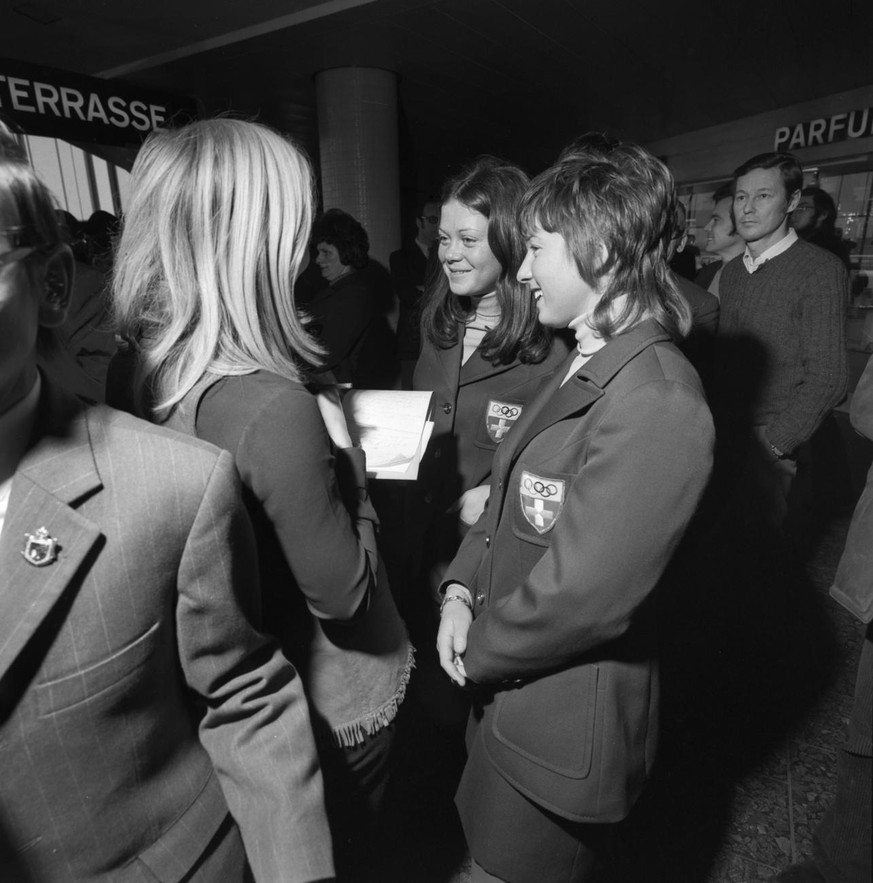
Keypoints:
pixel 493 188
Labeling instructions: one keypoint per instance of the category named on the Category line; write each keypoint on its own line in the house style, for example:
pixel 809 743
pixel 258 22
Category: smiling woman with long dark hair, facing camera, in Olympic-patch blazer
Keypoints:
pixel 483 354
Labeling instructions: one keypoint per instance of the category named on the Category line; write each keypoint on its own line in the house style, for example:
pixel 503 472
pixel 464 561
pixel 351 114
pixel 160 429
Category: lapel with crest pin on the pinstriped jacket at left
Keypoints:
pixel 58 470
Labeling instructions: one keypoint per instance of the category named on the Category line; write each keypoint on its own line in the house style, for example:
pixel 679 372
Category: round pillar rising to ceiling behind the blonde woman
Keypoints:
pixel 357 133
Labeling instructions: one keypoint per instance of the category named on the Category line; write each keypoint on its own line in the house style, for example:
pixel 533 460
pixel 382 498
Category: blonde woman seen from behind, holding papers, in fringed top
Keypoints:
pixel 214 237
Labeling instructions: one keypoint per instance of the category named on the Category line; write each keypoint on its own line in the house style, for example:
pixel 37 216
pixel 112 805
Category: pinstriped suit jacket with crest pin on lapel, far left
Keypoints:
pixel 138 706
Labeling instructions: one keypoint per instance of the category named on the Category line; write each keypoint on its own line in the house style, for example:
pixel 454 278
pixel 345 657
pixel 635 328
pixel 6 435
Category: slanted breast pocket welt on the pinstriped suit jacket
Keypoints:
pixel 67 692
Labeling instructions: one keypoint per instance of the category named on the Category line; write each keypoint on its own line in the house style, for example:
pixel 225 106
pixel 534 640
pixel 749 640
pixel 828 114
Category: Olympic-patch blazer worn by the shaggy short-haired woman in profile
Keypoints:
pixel 590 493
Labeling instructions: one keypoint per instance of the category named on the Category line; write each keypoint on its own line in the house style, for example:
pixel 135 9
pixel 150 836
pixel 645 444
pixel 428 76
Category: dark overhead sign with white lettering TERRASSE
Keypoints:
pixel 59 104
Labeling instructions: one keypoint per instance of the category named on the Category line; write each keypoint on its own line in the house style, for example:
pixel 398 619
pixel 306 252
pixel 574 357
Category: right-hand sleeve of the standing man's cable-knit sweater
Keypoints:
pixel 823 375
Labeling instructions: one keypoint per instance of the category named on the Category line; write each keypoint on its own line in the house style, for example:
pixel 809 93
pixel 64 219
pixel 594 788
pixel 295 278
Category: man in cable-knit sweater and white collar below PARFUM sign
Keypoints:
pixel 781 330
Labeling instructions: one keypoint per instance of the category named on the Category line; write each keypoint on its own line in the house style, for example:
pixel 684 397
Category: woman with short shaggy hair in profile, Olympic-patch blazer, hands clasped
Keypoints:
pixel 590 493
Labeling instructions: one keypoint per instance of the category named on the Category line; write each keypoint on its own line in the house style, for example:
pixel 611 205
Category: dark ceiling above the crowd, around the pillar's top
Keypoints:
pixel 513 77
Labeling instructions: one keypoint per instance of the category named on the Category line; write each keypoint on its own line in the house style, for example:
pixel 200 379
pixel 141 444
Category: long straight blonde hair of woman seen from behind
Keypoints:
pixel 214 237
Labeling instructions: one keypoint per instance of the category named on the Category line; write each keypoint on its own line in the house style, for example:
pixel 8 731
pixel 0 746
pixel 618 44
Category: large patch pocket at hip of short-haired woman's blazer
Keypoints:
pixel 551 721
